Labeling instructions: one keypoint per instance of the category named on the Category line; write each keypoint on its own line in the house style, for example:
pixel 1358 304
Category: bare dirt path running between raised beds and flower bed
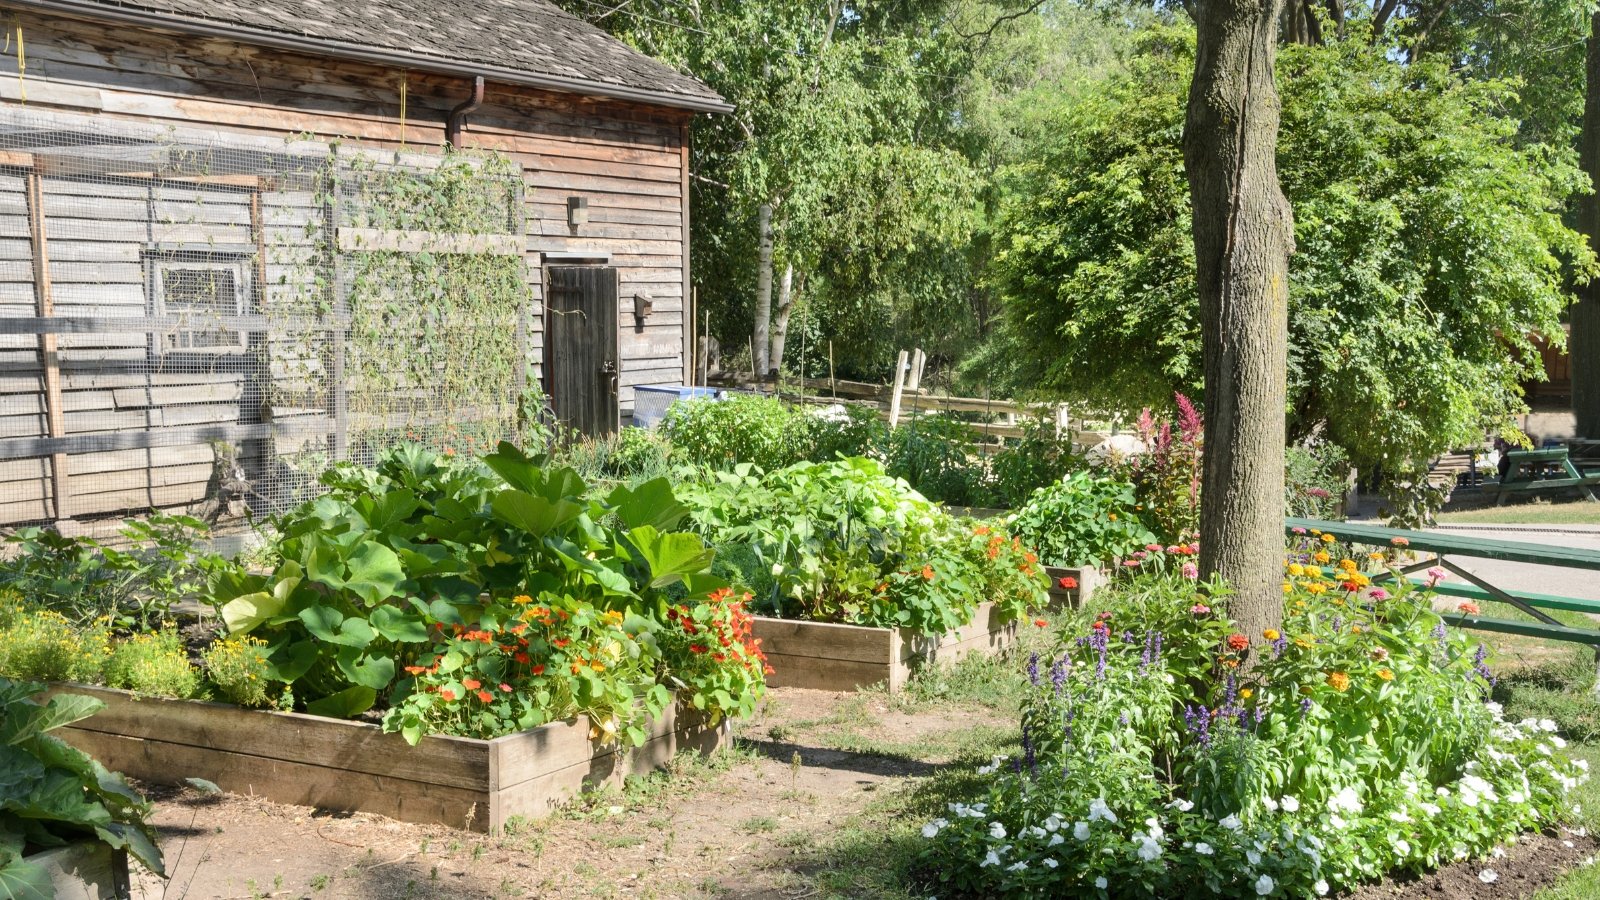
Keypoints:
pixel 746 824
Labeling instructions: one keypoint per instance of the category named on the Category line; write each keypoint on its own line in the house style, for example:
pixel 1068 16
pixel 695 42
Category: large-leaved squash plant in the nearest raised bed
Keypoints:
pixel 393 556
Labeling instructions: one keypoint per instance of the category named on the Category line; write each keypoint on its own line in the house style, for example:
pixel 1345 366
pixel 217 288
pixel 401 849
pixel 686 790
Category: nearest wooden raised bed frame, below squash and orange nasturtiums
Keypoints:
pixel 337 765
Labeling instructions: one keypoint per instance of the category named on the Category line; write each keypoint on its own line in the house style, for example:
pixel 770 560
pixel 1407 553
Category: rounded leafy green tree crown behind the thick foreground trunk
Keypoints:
pixel 1431 249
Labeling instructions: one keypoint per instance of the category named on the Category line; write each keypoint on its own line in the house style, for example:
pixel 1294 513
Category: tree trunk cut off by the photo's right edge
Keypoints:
pixel 1585 347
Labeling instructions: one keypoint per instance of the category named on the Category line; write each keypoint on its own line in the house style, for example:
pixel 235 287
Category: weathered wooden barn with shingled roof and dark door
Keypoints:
pixel 241 239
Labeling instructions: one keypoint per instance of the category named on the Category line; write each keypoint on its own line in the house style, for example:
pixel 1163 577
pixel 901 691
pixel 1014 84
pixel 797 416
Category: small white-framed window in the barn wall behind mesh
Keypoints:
pixel 201 291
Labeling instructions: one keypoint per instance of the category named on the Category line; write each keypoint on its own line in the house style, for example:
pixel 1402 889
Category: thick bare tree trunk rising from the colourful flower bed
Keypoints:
pixel 1244 236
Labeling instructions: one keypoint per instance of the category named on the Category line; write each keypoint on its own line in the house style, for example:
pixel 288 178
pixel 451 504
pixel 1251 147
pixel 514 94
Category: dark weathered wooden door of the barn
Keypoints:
pixel 582 361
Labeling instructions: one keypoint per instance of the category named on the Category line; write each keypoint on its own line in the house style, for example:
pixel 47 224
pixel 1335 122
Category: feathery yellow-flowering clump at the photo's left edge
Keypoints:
pixel 41 645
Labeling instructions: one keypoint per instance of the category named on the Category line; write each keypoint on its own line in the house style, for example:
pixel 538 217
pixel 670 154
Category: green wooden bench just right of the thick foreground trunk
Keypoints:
pixel 1476 589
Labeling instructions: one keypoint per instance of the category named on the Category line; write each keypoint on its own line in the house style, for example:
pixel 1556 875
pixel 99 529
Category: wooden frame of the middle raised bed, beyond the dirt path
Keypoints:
pixel 849 657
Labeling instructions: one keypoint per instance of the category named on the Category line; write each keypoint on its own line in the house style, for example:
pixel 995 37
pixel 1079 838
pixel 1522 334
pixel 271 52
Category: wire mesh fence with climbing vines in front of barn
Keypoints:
pixel 202 323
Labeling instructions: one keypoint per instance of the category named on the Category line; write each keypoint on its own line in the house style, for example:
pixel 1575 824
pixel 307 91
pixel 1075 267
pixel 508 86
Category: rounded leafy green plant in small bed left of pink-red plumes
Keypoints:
pixel 1086 520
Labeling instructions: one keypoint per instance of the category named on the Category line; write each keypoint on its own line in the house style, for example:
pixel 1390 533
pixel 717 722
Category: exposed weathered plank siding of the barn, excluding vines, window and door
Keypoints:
pixel 628 161
